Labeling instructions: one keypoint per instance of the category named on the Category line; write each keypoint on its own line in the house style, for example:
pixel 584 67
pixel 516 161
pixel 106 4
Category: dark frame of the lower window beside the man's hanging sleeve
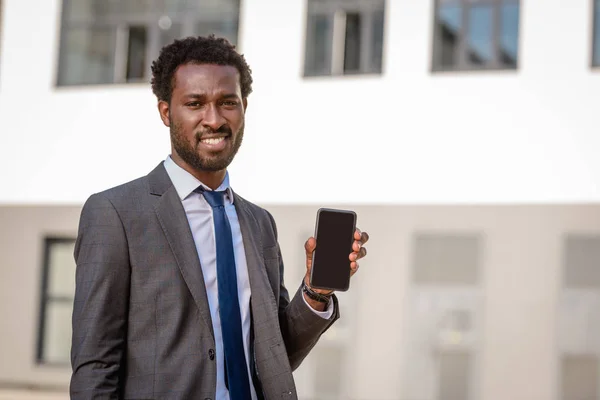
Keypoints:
pixel 45 298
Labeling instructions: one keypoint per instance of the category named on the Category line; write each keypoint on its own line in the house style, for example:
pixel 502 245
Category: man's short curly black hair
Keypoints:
pixel 196 50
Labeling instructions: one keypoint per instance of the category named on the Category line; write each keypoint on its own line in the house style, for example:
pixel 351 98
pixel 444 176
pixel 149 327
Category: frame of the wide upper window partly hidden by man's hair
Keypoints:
pixel 120 47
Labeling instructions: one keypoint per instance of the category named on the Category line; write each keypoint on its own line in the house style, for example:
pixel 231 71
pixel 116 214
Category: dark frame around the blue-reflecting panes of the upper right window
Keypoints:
pixel 462 64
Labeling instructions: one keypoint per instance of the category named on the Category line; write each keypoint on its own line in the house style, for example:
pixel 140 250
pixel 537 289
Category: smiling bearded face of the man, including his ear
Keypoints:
pixel 206 115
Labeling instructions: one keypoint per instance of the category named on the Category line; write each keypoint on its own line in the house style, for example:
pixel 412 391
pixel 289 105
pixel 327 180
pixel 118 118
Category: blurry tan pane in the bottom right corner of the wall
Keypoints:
pixel 580 378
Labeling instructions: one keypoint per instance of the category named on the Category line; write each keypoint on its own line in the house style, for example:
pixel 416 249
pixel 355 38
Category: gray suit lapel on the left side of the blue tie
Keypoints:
pixel 171 216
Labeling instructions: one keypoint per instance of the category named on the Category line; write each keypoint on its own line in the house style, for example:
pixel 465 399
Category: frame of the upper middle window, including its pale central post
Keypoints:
pixel 336 41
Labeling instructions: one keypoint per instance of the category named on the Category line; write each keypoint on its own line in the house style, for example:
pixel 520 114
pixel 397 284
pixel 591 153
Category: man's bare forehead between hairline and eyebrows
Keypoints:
pixel 206 79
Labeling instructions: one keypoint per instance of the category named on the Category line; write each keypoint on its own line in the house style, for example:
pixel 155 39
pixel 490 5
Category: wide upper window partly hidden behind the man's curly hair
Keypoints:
pixel 115 41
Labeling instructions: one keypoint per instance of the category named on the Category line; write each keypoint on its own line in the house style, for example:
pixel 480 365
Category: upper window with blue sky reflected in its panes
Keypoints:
pixel 476 34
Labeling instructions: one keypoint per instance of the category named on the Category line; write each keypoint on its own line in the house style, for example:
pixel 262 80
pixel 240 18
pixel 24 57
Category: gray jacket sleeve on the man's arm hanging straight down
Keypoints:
pixel 101 302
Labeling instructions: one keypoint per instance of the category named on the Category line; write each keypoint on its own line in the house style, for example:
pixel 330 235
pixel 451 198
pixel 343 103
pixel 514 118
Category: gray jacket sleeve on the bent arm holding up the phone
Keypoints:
pixel 300 327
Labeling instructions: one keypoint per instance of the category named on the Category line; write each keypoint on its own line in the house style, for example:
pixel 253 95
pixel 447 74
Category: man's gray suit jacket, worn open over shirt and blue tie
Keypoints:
pixel 141 321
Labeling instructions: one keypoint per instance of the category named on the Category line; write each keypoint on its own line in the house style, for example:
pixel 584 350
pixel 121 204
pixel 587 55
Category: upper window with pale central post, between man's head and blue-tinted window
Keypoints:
pixel 344 37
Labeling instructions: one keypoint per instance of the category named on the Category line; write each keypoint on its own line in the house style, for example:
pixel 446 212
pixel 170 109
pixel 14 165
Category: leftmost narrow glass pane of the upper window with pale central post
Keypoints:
pixel 318 45
